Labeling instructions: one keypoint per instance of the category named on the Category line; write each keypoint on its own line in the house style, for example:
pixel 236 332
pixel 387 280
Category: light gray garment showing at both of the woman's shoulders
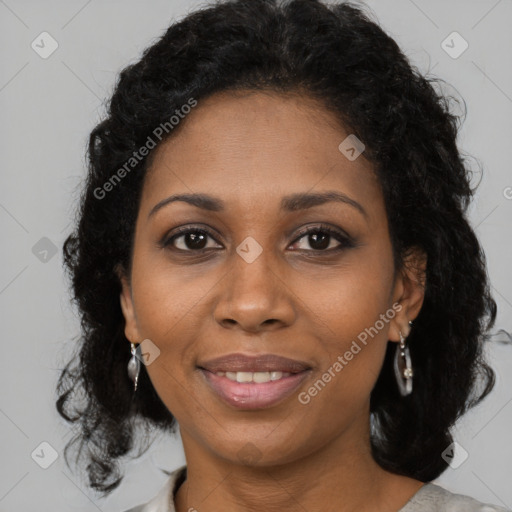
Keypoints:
pixel 429 498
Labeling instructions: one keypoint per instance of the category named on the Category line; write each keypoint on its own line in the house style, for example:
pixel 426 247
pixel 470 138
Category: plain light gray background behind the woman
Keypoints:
pixel 49 106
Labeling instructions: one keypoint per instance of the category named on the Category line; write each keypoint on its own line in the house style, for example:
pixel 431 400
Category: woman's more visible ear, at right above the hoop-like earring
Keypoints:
pixel 409 292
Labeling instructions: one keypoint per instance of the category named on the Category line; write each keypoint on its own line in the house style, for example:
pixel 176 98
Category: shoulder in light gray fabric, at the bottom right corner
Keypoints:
pixel 434 498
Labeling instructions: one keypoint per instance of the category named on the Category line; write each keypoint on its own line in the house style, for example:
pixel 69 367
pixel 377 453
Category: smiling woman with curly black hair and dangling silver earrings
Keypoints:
pixel 272 253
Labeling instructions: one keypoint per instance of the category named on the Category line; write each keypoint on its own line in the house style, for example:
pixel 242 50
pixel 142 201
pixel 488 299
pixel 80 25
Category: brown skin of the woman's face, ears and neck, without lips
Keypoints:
pixel 250 149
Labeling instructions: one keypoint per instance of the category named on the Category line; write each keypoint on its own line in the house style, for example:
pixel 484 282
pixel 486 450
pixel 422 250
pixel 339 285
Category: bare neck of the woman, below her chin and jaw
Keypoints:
pixel 339 477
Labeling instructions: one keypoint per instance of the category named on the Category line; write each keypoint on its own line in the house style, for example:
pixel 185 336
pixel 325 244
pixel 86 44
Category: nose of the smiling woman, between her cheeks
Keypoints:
pixel 255 296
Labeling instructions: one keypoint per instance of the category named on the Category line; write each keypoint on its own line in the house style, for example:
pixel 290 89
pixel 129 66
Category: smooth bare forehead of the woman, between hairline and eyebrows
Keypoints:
pixel 248 146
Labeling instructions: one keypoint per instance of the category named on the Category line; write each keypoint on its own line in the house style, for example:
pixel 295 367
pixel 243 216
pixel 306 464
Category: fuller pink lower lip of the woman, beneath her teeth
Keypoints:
pixel 252 395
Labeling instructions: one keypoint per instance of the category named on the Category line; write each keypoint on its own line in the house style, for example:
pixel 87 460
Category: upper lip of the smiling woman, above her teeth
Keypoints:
pixel 257 363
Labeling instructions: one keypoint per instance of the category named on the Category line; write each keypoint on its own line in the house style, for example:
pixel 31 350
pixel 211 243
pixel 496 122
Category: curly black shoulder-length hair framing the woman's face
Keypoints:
pixel 336 54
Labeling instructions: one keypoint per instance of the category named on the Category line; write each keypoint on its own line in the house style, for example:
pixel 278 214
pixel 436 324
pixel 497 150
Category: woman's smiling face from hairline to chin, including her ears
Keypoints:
pixel 257 285
